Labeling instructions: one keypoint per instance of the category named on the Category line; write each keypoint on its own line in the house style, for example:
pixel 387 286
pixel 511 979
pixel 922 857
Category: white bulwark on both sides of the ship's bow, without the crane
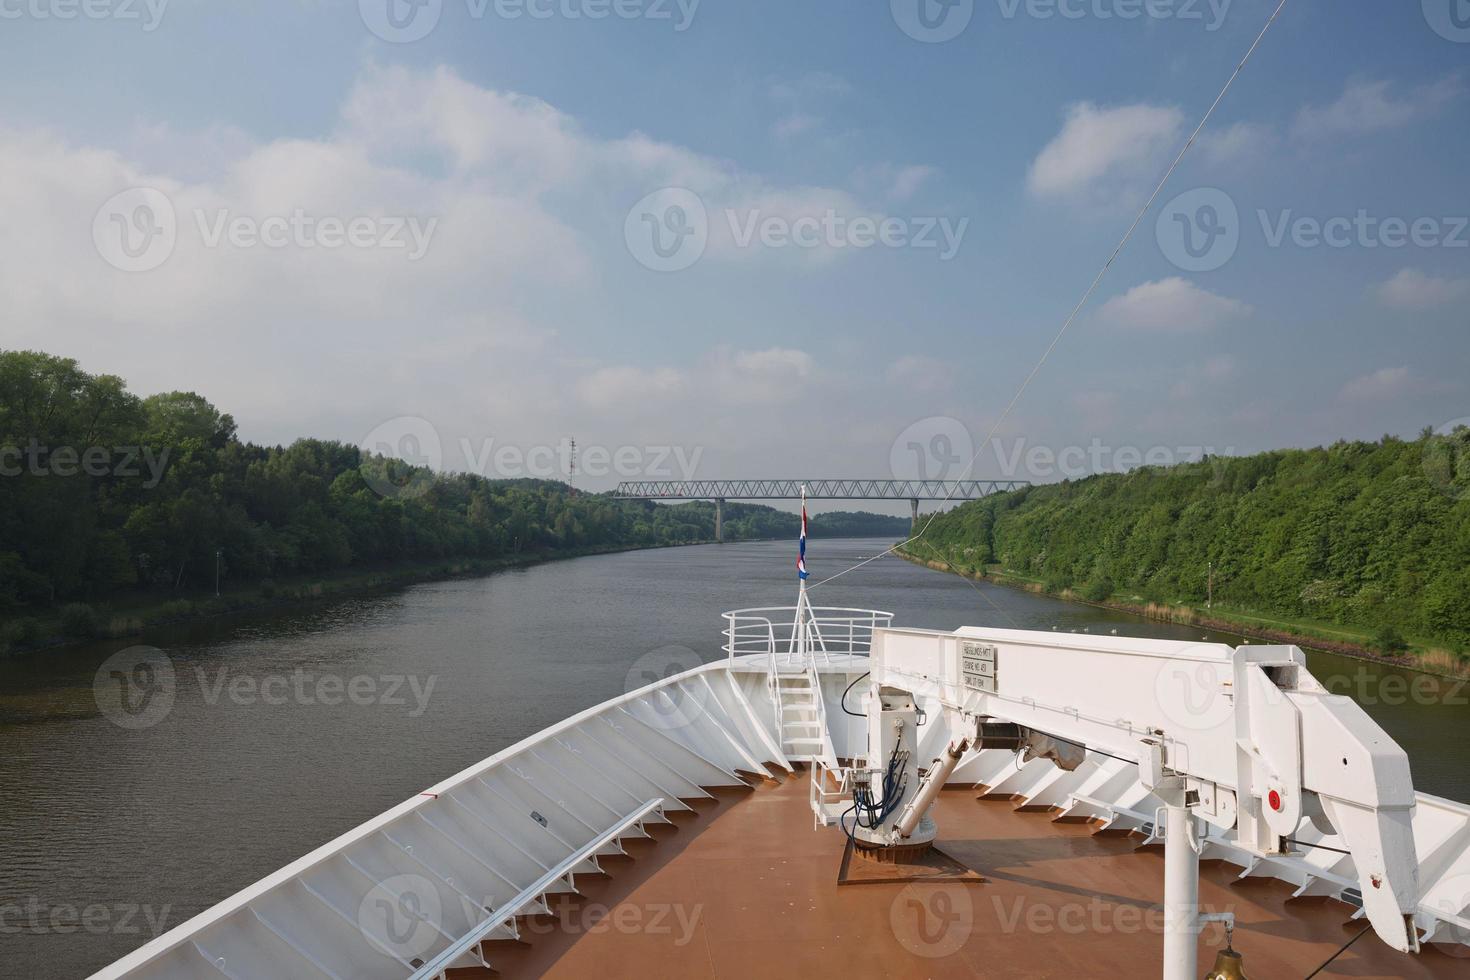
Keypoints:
pixel 423 888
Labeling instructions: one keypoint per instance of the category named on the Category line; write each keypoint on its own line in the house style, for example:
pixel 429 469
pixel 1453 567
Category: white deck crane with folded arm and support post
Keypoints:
pixel 1241 738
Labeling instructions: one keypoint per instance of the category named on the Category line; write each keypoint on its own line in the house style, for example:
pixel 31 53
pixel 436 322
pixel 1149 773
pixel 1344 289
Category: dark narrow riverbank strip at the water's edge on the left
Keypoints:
pixel 117 619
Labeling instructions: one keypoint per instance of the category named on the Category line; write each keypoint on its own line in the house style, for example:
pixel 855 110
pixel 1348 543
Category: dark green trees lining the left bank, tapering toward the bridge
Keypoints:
pixel 107 494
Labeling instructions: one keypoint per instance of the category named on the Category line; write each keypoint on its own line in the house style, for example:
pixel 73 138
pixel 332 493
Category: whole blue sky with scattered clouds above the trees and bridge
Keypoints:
pixel 530 320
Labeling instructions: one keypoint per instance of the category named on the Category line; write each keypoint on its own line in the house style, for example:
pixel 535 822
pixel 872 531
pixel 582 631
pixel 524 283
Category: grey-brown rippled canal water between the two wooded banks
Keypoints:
pixel 287 729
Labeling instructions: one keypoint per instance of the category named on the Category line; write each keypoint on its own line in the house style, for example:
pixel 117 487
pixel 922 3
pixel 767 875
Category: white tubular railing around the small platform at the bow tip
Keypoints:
pixel 822 634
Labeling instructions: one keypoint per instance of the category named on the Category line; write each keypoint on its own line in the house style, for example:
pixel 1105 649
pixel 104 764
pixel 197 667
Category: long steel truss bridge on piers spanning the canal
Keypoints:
pixel 721 491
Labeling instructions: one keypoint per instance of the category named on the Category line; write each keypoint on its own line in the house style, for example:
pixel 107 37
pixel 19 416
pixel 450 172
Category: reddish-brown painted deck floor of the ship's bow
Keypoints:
pixel 747 890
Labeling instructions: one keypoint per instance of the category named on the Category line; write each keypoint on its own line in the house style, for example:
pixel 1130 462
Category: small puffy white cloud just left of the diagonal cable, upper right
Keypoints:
pixel 1105 152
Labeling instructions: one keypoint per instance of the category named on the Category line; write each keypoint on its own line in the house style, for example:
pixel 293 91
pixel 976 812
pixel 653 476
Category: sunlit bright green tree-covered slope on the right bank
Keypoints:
pixel 1372 536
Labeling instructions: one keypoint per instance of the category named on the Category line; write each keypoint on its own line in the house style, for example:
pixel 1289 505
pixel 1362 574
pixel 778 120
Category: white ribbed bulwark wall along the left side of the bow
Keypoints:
pixel 329 890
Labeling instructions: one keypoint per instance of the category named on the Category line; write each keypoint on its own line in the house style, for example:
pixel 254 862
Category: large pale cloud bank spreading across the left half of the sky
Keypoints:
pixel 333 342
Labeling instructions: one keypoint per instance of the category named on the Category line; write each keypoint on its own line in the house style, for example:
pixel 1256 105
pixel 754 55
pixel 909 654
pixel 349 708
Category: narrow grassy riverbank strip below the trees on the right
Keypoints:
pixel 1324 637
